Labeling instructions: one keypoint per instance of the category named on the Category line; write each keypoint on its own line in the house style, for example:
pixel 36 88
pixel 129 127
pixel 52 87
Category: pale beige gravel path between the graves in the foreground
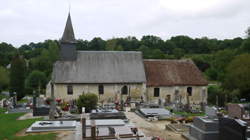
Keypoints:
pixel 154 128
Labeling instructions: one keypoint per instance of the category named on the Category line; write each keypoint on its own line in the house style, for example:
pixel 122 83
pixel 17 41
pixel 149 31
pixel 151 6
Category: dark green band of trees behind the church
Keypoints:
pixel 218 59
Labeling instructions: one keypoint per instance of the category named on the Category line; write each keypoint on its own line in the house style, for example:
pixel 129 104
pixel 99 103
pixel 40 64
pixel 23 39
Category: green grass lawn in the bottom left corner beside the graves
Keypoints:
pixel 9 126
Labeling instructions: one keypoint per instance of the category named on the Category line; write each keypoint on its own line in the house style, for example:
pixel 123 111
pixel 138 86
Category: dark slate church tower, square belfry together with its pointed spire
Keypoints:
pixel 68 43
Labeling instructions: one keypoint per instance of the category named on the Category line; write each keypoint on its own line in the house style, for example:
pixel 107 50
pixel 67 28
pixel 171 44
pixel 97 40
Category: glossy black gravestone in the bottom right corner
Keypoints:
pixel 232 129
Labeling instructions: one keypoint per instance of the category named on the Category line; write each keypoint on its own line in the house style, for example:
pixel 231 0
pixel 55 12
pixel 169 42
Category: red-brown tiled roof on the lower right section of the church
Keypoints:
pixel 173 73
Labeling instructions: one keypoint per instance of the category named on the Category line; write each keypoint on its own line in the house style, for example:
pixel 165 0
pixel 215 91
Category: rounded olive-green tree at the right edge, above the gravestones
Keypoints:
pixel 238 76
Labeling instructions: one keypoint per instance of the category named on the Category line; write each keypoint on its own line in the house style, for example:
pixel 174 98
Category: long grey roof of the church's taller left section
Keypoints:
pixel 101 67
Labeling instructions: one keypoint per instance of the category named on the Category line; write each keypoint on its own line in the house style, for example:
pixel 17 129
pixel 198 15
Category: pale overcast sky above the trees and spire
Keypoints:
pixel 25 21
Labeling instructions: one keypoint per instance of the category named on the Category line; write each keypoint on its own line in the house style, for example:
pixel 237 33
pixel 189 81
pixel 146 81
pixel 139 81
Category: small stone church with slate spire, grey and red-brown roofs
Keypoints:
pixel 119 75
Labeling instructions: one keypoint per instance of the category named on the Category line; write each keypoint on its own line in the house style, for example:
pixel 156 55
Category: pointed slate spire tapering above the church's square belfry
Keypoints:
pixel 68 34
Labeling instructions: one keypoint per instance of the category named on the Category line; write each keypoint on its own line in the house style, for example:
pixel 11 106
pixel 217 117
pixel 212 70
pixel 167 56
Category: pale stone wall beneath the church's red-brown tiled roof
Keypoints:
pixel 199 94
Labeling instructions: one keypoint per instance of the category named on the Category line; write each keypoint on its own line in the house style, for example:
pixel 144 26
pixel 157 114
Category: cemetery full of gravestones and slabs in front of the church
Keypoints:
pixel 112 121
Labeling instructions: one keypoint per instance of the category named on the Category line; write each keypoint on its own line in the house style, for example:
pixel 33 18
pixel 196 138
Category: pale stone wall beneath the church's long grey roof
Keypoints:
pixel 112 92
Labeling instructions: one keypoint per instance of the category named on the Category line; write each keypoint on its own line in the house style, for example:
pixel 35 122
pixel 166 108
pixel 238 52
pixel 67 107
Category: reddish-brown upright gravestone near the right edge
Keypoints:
pixel 235 110
